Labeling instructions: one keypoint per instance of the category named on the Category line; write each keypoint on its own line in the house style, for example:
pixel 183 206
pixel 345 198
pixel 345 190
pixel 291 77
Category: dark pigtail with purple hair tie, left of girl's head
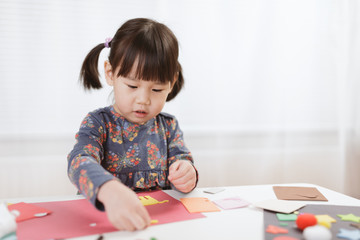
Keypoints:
pixel 89 74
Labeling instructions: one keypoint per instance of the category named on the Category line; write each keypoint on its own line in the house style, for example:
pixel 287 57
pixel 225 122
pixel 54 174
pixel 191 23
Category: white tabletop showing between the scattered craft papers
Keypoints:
pixel 242 223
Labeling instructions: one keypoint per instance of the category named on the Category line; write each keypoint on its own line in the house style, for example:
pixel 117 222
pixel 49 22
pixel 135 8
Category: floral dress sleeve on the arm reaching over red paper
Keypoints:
pixel 84 161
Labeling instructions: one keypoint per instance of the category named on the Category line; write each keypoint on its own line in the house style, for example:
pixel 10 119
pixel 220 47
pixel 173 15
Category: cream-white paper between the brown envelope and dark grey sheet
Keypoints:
pixel 280 206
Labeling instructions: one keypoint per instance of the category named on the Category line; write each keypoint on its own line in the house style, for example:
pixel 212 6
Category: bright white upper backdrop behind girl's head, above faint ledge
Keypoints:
pixel 248 64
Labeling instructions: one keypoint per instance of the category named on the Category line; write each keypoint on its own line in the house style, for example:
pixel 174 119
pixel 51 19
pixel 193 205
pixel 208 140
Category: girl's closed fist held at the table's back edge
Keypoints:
pixel 182 175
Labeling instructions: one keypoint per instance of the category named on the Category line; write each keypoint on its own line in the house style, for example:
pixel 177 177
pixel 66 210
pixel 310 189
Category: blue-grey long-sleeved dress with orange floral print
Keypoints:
pixel 109 147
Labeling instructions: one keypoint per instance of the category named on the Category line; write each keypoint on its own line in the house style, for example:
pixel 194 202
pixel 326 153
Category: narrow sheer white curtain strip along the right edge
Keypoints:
pixel 348 101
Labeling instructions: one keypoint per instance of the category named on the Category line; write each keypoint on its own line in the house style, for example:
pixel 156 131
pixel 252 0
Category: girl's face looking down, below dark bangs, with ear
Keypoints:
pixel 136 100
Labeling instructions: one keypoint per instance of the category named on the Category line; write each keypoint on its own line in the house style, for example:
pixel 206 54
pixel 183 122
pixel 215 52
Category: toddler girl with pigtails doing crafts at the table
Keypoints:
pixel 131 145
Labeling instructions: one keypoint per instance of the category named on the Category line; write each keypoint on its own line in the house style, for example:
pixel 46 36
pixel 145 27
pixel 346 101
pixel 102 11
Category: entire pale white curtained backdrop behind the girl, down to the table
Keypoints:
pixel 271 92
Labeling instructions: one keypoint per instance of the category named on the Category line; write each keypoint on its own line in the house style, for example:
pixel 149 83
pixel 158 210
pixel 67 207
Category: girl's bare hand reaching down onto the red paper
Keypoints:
pixel 123 207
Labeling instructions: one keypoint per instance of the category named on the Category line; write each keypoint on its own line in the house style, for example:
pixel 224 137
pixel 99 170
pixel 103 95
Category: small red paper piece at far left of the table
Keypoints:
pixel 27 211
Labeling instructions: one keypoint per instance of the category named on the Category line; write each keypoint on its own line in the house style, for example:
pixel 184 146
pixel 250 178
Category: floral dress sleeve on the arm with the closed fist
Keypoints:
pixel 177 148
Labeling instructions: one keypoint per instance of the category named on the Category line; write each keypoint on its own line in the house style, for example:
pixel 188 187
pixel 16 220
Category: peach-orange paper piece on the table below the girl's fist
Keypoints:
pixel 199 204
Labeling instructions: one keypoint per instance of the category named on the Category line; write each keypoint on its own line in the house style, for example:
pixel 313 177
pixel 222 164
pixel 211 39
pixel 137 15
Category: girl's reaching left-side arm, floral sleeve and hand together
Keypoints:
pixel 123 208
